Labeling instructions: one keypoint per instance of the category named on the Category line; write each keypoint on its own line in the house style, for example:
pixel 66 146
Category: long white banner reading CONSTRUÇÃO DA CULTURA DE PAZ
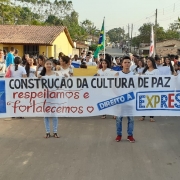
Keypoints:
pixel 90 96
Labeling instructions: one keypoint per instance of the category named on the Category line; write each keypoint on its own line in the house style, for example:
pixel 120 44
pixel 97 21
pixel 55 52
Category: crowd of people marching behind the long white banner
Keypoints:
pixel 29 66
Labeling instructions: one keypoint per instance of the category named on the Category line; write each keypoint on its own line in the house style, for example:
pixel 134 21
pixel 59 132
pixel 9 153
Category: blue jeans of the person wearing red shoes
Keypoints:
pixel 130 126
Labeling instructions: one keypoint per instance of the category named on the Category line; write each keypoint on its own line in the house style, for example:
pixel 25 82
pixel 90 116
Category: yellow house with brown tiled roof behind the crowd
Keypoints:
pixel 36 40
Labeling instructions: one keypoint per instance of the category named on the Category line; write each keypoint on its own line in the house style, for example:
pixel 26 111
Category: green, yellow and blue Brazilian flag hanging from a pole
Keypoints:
pixel 101 43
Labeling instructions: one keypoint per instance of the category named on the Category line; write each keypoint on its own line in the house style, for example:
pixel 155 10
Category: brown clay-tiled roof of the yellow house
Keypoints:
pixel 27 34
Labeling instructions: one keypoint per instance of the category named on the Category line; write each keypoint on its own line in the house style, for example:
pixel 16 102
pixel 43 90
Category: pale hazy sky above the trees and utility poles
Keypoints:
pixel 120 13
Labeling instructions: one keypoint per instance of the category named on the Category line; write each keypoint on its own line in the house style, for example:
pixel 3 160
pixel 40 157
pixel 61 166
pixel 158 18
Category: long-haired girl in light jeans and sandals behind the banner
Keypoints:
pixel 48 72
